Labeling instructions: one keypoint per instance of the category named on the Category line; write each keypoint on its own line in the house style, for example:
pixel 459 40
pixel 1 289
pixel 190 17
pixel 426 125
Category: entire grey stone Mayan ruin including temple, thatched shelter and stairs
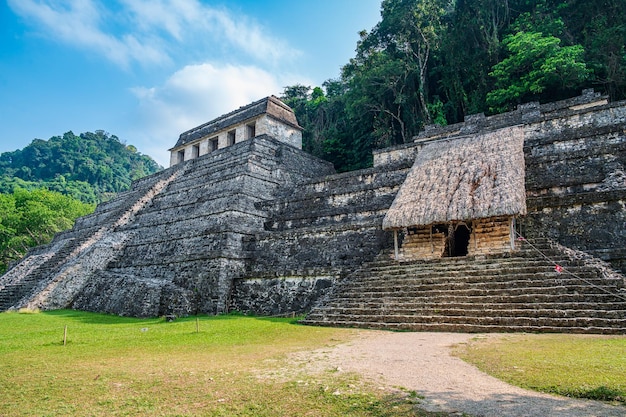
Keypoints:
pixel 511 222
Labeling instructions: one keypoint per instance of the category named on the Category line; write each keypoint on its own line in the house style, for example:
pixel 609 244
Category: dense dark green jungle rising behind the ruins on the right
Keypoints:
pixel 434 61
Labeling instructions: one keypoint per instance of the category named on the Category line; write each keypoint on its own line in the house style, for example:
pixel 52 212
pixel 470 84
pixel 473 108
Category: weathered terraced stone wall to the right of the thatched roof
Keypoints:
pixel 576 180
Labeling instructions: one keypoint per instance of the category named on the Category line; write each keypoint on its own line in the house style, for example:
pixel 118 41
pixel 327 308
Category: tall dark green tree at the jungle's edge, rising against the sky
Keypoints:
pixel 399 51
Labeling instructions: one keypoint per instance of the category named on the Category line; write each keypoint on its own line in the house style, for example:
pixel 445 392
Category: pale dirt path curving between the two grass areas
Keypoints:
pixel 422 362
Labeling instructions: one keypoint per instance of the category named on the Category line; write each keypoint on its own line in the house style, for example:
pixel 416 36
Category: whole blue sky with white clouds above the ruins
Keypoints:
pixel 147 70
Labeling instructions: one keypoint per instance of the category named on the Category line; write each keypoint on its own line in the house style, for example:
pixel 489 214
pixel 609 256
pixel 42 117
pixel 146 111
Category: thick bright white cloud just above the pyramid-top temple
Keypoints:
pixel 194 95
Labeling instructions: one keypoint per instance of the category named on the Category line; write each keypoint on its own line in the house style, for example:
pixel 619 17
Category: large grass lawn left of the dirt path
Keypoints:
pixel 234 366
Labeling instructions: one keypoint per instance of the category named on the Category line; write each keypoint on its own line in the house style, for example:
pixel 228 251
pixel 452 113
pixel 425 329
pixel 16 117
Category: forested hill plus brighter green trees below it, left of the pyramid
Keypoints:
pixel 48 184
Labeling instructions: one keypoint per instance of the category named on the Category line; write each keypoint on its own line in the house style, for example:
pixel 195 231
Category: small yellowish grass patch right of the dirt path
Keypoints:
pixel 581 366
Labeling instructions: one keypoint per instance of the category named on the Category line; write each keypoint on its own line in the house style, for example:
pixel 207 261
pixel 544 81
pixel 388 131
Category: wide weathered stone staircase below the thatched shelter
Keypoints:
pixel 519 292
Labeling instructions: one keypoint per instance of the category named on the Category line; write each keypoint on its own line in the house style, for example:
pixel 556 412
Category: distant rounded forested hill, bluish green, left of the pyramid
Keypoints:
pixel 91 167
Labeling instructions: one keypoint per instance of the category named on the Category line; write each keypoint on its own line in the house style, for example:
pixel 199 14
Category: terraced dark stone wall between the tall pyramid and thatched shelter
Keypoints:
pixel 316 234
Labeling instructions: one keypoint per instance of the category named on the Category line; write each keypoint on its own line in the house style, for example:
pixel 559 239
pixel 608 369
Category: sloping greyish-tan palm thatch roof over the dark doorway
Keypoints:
pixel 463 178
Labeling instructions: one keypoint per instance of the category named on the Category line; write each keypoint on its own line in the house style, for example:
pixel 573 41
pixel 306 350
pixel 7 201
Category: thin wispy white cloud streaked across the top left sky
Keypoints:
pixel 151 31
